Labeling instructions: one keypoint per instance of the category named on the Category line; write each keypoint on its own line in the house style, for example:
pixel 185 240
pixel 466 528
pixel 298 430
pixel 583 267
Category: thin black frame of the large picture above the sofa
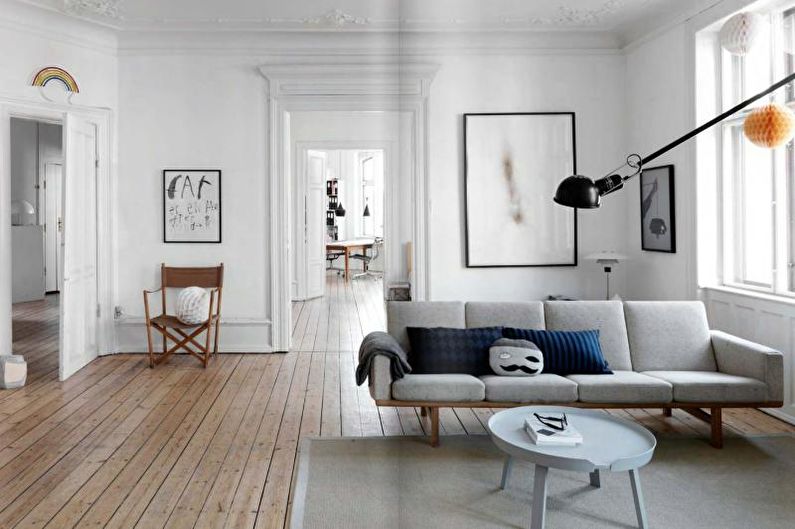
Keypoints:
pixel 468 207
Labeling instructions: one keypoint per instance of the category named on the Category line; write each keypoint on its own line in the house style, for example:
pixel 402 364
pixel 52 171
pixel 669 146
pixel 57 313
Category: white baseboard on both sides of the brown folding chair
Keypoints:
pixel 238 335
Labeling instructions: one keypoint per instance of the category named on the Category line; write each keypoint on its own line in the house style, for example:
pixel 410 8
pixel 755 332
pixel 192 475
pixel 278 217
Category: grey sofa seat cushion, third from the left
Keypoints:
pixel 622 387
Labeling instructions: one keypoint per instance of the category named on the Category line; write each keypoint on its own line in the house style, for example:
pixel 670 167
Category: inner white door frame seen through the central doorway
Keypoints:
pixel 391 189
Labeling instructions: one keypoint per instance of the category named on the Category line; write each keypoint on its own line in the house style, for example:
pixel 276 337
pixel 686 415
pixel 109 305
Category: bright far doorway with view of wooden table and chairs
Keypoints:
pixel 339 220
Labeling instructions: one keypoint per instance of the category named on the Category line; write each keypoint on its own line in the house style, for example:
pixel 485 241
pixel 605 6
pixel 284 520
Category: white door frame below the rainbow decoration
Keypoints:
pixel 42 110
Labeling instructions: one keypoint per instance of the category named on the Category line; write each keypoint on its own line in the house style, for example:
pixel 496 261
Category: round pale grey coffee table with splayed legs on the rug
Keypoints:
pixel 609 443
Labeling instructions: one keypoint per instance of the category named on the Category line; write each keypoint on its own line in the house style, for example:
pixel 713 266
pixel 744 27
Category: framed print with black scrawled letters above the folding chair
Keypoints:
pixel 192 205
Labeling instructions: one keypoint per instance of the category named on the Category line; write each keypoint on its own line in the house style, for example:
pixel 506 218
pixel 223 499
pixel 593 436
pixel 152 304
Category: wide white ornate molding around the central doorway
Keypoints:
pixel 342 84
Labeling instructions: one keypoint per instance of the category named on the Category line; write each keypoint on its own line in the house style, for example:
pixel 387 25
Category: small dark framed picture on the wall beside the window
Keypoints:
pixel 657 209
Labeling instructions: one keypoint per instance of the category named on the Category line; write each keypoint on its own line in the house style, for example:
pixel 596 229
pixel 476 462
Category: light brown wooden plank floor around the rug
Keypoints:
pixel 120 445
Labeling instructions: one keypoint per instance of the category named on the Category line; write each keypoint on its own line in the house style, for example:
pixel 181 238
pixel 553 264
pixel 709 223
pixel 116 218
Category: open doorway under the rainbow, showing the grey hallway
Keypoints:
pixel 36 178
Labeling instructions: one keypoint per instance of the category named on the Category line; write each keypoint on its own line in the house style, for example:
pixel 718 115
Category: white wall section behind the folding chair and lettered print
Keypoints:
pixel 184 112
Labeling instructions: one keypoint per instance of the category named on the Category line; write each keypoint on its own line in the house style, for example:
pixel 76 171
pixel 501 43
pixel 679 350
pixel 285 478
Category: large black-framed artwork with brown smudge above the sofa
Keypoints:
pixel 513 164
